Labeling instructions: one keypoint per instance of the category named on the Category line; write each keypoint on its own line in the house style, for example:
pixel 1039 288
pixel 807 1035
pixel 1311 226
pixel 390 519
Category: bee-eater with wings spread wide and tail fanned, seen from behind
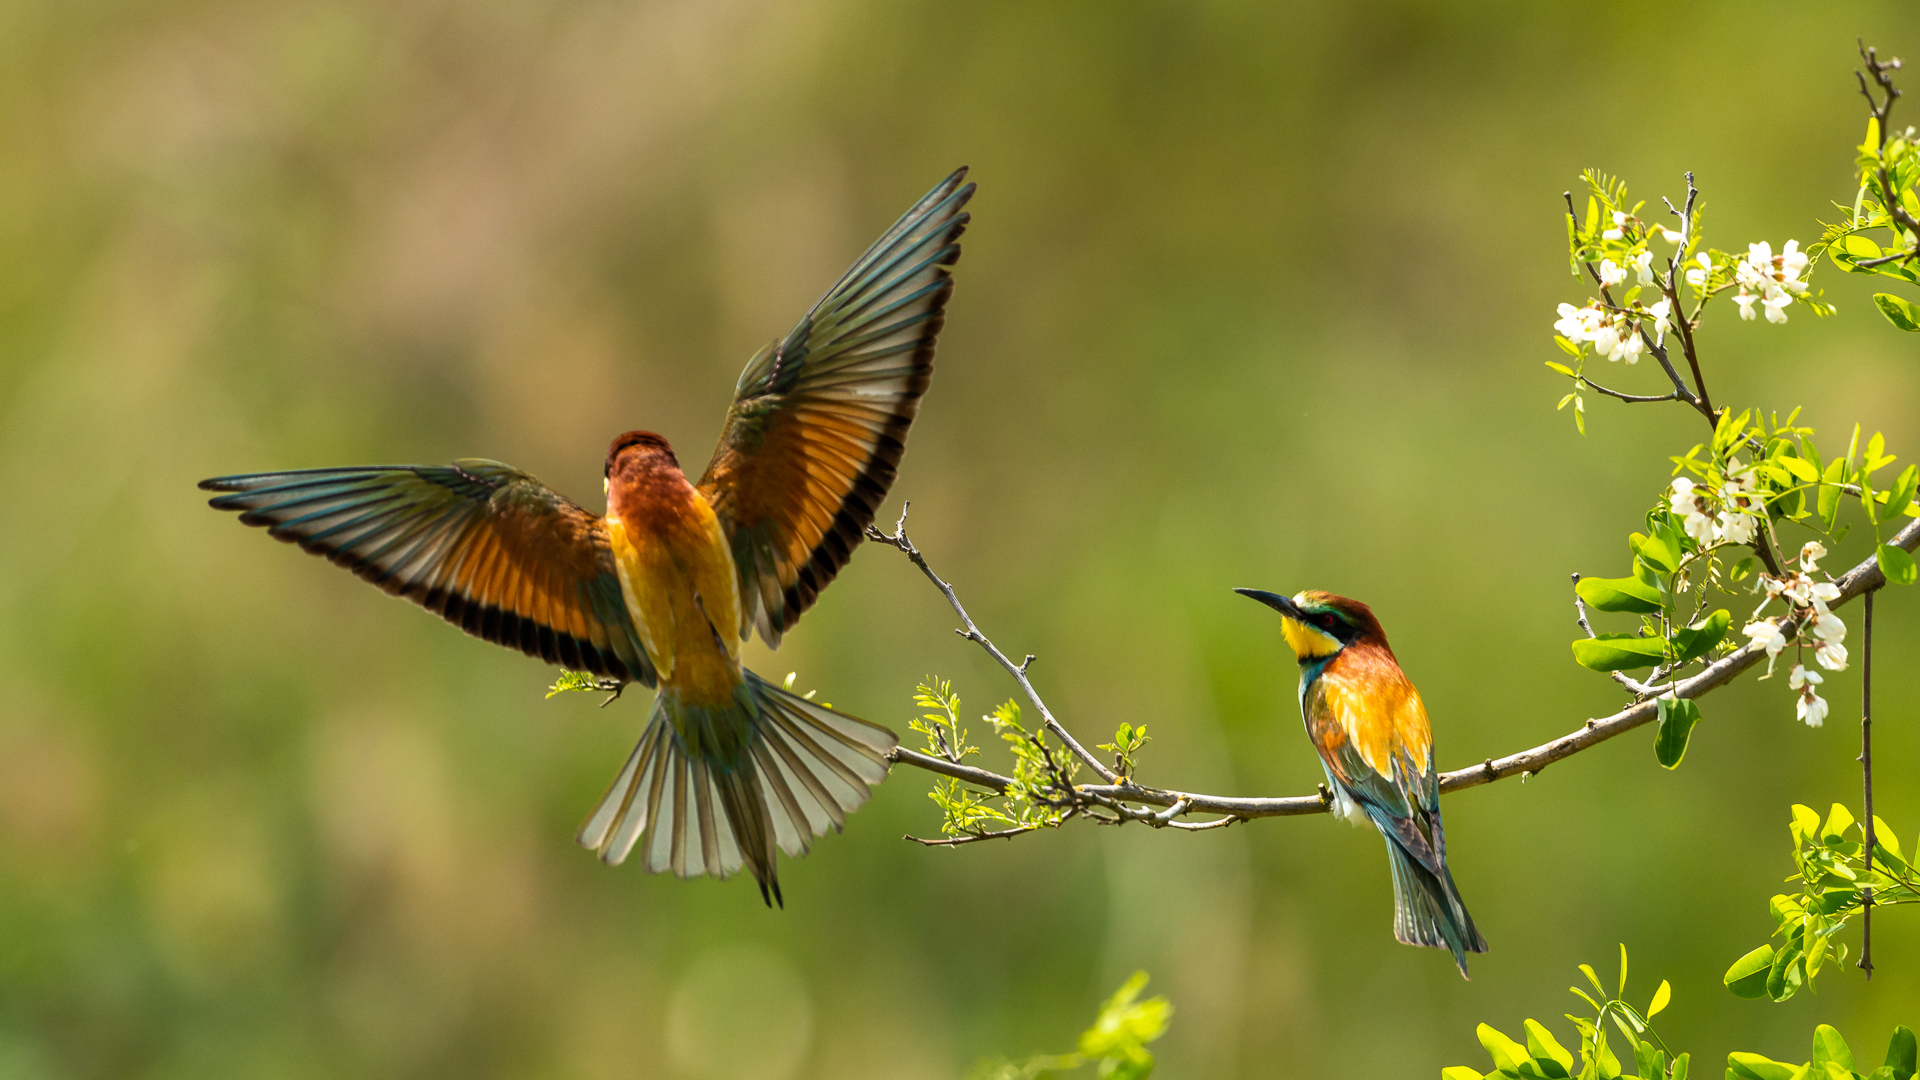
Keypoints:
pixel 675 576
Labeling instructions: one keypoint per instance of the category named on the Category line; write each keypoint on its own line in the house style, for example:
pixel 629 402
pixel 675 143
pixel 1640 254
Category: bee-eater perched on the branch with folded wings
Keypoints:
pixel 1370 727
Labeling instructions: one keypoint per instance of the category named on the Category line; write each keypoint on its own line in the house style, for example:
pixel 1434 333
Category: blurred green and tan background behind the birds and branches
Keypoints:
pixel 1255 295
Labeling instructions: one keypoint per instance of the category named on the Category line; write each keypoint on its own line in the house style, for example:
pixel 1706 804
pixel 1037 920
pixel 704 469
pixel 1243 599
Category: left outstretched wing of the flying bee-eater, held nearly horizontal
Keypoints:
pixel 483 545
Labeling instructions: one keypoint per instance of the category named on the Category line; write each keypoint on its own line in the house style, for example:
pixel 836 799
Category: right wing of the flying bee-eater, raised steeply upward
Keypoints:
pixel 821 418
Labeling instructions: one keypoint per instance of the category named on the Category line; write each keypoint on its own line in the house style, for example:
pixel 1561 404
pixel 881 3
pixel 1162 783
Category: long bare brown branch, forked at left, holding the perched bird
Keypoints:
pixel 1122 800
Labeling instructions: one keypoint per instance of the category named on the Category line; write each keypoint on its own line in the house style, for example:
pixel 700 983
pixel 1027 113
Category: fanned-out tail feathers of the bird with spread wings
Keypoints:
pixel 798 770
